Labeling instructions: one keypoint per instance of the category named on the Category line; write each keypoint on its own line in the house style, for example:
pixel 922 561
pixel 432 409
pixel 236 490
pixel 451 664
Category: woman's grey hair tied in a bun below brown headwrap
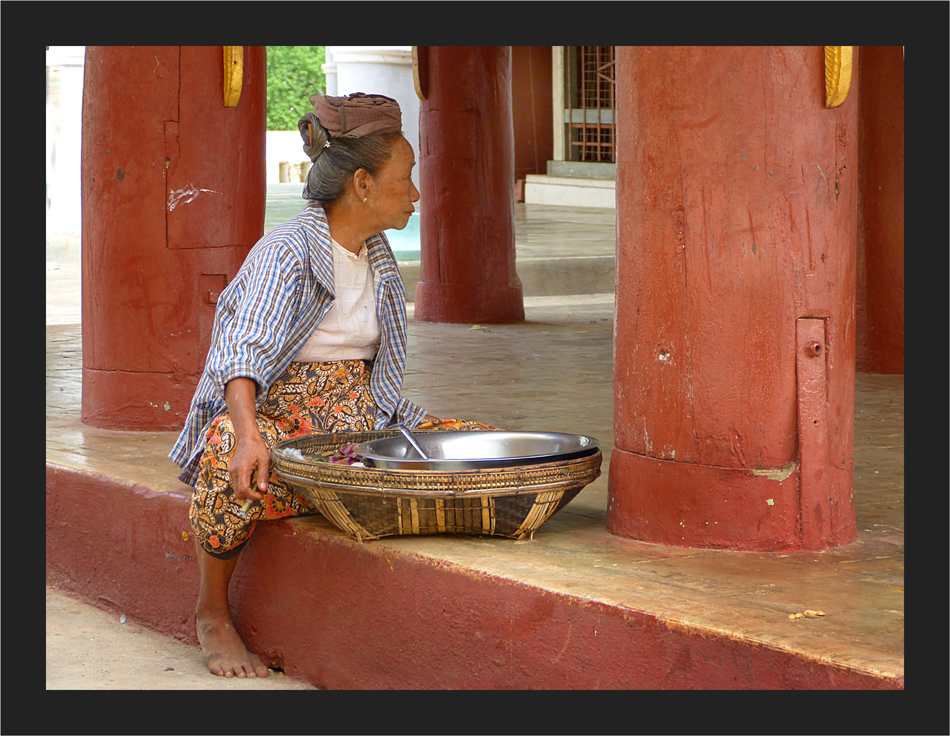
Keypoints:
pixel 340 158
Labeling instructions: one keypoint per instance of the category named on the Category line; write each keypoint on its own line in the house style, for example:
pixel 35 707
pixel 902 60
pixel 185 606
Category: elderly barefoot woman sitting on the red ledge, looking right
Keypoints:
pixel 309 337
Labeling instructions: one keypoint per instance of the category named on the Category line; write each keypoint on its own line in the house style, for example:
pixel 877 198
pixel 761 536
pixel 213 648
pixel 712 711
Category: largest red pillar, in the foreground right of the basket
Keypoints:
pixel 736 198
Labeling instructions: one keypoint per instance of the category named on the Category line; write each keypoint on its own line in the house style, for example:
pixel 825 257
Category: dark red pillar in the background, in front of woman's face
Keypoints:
pixel 466 177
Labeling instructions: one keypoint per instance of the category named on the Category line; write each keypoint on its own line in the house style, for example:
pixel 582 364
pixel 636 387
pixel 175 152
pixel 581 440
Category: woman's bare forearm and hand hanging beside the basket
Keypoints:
pixel 250 453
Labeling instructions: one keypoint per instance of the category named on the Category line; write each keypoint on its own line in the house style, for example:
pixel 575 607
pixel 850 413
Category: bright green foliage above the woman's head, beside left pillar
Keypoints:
pixel 293 74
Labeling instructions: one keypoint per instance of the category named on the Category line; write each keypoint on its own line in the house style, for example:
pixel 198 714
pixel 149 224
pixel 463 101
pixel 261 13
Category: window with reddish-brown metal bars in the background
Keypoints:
pixel 590 83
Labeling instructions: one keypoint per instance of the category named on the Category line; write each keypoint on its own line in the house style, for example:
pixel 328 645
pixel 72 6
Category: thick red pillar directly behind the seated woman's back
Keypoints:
pixel 173 197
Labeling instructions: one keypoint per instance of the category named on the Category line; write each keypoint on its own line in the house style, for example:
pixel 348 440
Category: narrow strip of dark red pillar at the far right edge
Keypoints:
pixel 880 306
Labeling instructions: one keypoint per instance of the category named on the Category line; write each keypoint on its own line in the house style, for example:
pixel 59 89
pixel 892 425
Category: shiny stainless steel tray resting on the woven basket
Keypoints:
pixel 474 450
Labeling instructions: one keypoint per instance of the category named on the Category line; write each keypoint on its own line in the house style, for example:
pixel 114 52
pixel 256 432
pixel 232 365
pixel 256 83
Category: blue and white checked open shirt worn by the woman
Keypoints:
pixel 282 291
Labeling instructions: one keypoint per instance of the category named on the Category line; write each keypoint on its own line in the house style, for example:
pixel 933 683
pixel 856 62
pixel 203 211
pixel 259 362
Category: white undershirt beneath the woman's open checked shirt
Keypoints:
pixel 350 331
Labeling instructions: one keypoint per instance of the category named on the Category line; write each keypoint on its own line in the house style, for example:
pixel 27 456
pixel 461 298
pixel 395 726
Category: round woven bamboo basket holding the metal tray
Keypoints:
pixel 370 503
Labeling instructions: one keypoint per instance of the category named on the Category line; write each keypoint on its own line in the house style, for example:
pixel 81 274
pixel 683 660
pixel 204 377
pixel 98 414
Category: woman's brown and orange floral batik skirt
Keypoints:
pixel 308 398
